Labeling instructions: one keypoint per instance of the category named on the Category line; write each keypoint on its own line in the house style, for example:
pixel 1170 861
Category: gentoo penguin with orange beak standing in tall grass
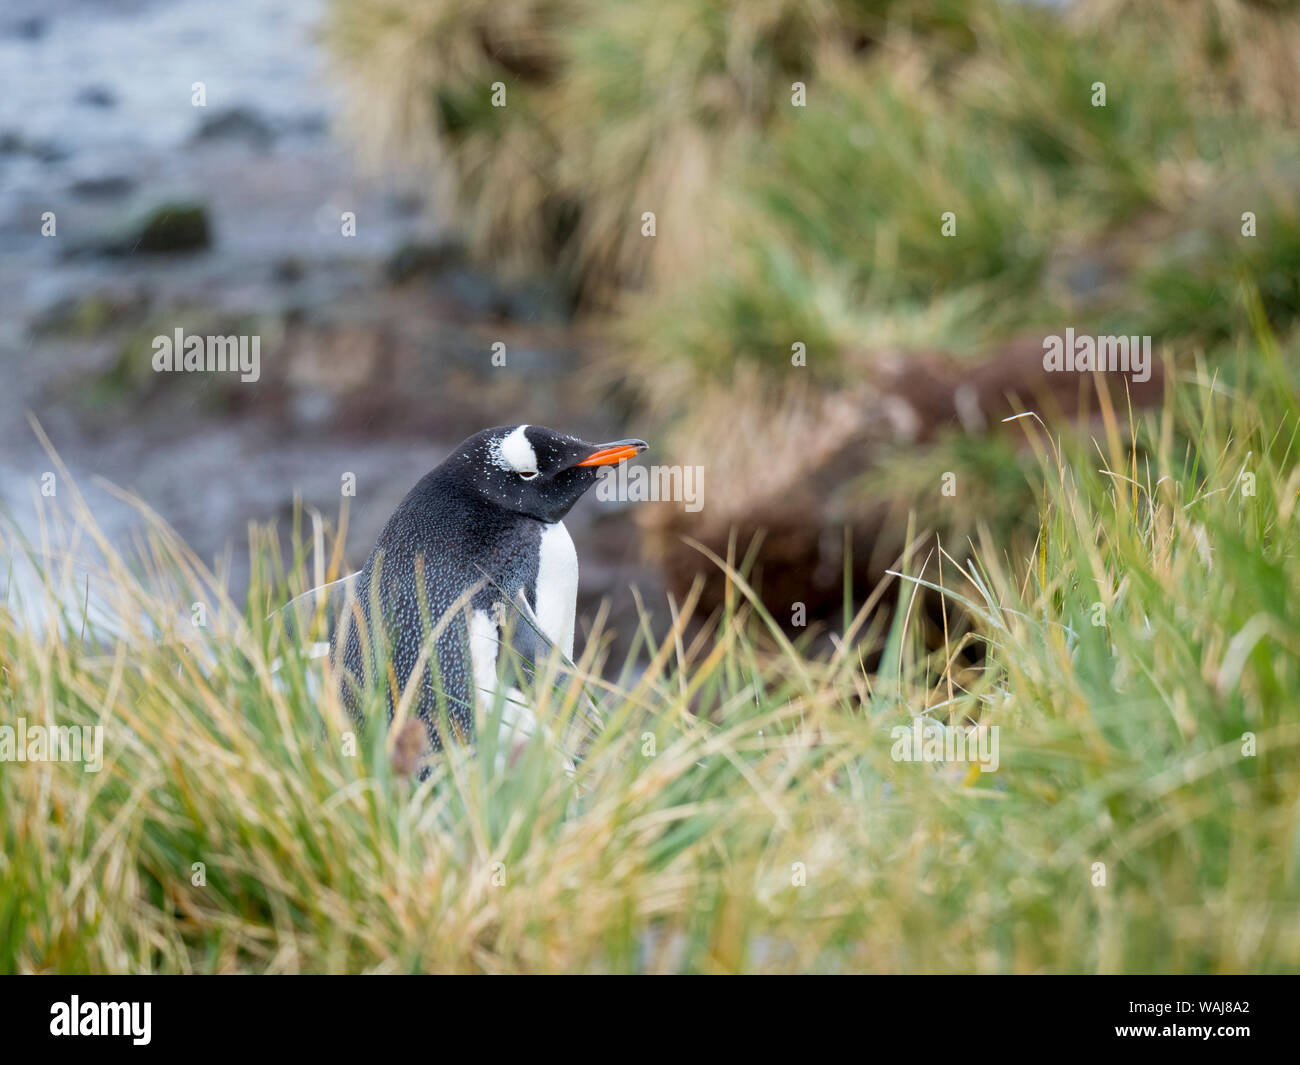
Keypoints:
pixel 476 547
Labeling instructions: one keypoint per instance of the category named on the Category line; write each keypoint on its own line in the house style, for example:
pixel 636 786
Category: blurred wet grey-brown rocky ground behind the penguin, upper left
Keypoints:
pixel 376 348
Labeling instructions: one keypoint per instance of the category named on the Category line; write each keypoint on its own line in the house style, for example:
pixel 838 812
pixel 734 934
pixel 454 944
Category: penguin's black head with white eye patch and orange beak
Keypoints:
pixel 532 470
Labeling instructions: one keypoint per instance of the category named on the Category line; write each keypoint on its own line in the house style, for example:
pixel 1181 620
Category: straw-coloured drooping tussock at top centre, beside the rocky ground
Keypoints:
pixel 610 110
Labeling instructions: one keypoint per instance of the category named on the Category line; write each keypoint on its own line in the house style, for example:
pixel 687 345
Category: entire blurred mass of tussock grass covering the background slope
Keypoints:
pixel 772 218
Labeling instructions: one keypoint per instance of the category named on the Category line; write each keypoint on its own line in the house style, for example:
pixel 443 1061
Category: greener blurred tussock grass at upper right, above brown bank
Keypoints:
pixel 834 233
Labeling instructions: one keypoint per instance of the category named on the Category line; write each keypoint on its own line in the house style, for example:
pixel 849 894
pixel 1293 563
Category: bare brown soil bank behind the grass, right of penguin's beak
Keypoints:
pixel 804 487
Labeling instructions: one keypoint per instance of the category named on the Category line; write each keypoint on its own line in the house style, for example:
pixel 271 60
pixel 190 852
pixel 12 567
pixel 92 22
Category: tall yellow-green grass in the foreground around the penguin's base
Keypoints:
pixel 731 757
